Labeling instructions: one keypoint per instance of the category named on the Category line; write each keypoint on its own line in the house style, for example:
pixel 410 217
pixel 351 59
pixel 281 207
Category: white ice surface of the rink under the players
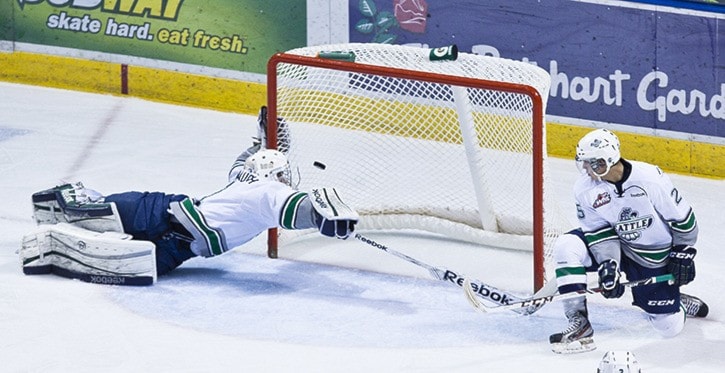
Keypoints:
pixel 325 306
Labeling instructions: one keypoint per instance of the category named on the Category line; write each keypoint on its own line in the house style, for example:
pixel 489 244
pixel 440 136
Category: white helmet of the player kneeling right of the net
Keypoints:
pixel 597 152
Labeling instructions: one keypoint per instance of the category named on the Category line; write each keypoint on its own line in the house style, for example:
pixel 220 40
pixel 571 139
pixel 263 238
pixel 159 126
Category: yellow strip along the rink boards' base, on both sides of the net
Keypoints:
pixel 672 155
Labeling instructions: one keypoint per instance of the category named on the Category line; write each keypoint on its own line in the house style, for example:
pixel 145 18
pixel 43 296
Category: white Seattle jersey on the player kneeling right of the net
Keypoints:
pixel 644 215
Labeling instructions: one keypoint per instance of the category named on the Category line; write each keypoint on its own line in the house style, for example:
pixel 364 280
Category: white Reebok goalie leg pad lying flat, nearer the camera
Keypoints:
pixel 73 252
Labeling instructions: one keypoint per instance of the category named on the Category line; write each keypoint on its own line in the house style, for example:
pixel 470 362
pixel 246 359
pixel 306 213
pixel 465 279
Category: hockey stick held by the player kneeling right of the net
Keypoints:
pixel 535 303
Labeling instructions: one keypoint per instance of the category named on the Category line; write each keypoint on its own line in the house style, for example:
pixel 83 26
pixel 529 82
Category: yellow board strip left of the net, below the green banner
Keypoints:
pixel 151 84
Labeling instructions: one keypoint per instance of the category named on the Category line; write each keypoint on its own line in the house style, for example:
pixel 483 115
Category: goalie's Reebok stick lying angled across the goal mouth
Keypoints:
pixel 484 291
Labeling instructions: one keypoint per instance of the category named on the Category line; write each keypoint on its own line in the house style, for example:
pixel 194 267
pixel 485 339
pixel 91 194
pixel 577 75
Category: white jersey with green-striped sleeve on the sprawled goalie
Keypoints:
pixel 239 212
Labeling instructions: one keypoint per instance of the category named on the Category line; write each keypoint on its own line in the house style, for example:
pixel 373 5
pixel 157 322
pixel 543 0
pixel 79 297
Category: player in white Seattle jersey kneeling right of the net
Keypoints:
pixel 634 223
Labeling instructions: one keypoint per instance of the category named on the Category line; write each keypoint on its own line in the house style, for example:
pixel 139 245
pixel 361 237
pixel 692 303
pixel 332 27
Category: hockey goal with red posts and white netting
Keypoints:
pixel 451 147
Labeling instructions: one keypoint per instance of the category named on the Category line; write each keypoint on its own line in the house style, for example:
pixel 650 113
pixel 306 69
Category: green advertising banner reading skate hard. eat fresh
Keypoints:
pixel 237 35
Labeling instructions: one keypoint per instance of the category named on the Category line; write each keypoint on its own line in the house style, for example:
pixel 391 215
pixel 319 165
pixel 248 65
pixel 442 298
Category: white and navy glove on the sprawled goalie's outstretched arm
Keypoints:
pixel 332 216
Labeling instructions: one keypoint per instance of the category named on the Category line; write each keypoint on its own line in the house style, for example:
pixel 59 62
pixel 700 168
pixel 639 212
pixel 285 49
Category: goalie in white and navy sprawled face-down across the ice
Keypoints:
pixel 131 238
